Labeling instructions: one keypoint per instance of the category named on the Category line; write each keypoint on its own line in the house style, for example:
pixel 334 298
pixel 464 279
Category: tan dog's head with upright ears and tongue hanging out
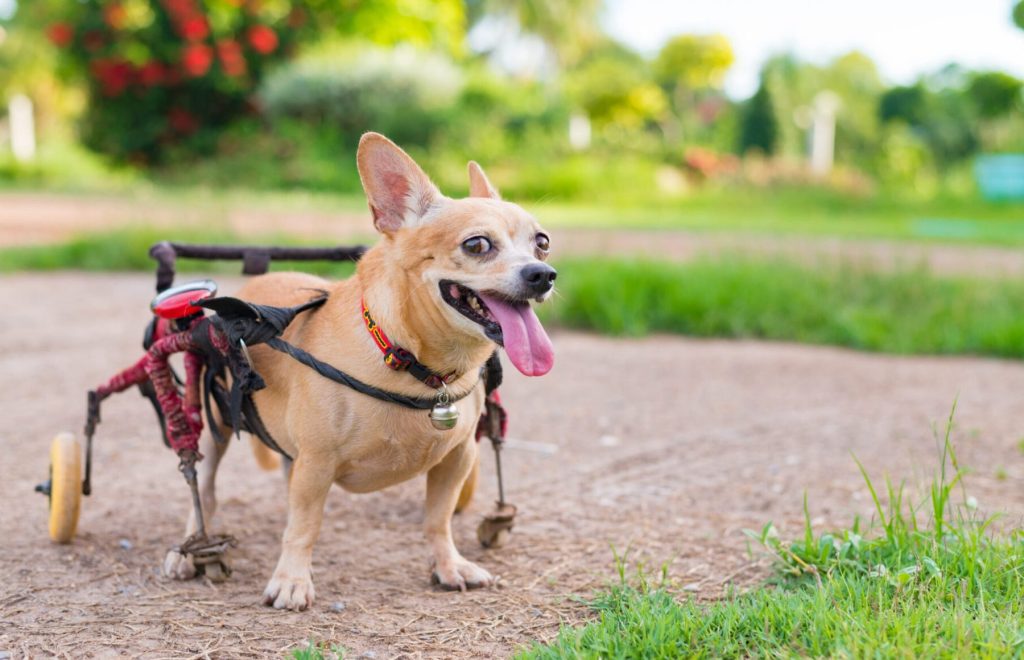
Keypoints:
pixel 477 263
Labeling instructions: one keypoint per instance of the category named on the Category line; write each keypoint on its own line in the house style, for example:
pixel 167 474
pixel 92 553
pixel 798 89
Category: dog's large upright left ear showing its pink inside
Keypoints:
pixel 398 191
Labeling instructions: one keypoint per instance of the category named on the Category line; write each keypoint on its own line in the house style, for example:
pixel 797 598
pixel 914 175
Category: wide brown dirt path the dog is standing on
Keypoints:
pixel 667 447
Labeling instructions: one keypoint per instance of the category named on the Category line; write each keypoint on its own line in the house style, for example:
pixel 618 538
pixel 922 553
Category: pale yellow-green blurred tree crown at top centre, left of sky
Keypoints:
pixel 569 28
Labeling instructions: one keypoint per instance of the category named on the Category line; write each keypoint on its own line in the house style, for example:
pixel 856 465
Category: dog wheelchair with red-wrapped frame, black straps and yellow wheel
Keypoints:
pixel 214 346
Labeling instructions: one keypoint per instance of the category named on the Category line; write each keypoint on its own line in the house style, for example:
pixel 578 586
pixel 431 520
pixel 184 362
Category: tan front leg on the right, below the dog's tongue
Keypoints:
pixel 445 482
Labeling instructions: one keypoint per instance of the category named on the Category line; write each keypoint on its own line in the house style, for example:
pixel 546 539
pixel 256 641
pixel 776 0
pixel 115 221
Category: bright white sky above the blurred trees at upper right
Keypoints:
pixel 906 38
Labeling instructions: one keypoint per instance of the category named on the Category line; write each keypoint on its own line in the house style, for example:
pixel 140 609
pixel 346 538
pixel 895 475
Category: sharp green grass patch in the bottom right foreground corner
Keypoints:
pixel 925 580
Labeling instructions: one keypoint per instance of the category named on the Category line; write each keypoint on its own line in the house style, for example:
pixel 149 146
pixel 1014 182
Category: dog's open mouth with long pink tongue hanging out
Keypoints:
pixel 510 324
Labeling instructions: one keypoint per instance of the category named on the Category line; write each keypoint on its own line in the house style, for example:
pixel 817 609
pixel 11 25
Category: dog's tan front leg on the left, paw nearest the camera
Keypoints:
pixel 292 585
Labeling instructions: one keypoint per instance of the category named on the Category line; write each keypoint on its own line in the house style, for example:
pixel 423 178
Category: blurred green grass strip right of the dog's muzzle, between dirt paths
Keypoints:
pixel 840 304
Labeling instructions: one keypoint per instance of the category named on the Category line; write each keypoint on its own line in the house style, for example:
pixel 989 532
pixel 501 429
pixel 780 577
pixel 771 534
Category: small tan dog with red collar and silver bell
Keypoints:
pixel 450 281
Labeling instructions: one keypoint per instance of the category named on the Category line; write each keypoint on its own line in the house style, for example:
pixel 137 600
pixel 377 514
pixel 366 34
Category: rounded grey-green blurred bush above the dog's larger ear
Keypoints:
pixel 402 93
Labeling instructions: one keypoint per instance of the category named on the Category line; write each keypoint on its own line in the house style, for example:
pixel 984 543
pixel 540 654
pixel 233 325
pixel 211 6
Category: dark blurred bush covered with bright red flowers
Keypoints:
pixel 161 72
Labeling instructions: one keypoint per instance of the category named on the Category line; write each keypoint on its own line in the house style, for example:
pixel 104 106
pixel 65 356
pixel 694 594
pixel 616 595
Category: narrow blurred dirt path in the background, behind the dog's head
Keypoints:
pixel 35 219
